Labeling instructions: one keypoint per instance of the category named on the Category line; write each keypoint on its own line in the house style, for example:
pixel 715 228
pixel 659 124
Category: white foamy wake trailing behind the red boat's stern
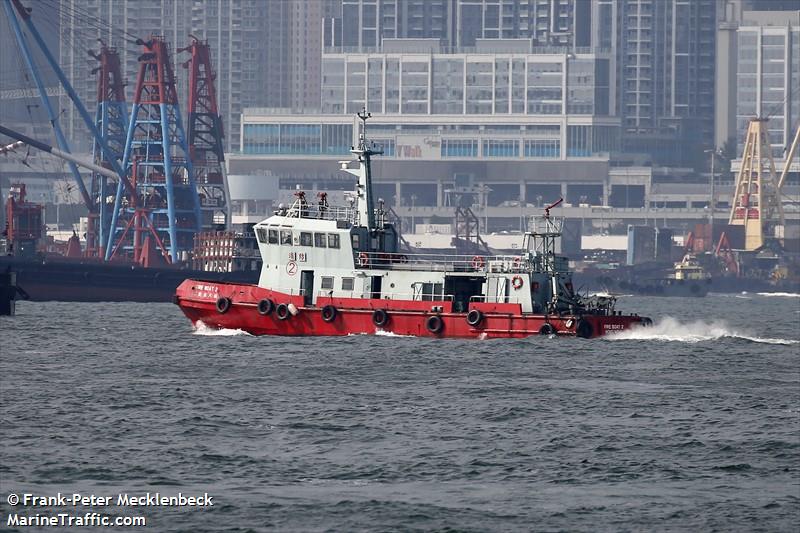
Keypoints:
pixel 670 329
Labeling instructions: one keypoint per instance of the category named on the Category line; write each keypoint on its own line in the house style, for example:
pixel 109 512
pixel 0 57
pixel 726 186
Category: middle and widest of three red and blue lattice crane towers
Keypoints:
pixel 164 203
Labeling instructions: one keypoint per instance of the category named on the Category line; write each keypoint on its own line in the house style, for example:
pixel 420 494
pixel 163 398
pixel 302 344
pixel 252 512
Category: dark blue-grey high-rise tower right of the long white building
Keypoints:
pixel 665 53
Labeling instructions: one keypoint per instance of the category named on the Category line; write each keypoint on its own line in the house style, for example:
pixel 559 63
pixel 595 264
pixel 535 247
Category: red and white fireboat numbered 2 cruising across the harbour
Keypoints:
pixel 331 270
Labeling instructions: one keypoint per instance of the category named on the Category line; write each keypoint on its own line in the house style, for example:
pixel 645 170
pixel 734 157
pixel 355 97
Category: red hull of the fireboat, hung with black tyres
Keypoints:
pixel 198 301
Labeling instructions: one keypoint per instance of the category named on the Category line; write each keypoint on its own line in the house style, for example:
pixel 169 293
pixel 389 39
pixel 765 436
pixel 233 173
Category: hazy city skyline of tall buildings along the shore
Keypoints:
pixel 491 83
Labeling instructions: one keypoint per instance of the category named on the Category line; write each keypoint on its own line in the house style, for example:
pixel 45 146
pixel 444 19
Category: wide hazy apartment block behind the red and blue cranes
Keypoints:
pixel 265 53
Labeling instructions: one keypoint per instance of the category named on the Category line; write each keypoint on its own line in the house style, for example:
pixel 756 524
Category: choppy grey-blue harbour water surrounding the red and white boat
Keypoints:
pixel 691 425
